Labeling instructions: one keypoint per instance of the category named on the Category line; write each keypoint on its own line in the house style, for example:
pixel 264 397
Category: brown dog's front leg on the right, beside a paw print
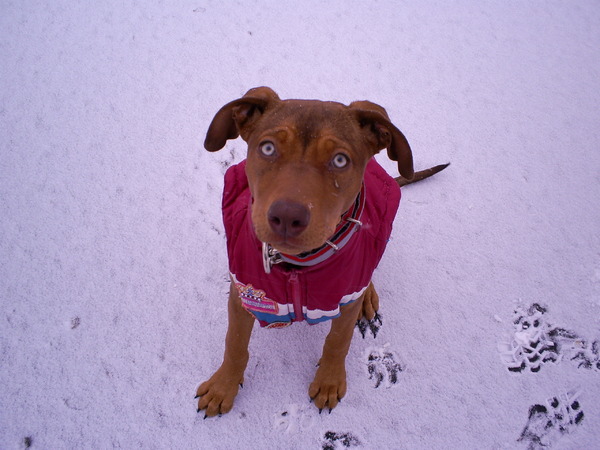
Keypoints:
pixel 329 385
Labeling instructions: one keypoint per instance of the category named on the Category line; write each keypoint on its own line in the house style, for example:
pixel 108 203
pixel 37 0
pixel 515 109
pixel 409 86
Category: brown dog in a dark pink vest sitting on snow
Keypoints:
pixel 307 202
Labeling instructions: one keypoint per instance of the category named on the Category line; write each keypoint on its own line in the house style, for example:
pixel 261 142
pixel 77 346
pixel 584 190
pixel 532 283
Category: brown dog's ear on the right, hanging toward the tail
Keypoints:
pixel 381 133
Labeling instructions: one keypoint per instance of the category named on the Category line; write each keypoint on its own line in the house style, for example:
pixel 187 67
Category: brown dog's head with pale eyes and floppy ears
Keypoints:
pixel 306 160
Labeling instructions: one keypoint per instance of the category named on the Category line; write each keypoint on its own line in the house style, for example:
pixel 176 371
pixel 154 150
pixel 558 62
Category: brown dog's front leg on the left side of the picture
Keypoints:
pixel 217 394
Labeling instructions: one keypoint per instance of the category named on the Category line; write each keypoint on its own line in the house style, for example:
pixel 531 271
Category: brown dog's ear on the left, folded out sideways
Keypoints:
pixel 237 117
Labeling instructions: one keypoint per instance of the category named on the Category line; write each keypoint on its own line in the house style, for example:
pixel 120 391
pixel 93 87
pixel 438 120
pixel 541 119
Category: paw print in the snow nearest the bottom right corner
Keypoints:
pixel 548 423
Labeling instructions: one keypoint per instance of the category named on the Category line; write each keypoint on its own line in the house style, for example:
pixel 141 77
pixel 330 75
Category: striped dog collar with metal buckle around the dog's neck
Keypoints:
pixel 349 225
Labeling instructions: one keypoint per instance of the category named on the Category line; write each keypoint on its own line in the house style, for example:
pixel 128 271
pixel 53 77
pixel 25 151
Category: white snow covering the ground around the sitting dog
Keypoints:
pixel 113 273
